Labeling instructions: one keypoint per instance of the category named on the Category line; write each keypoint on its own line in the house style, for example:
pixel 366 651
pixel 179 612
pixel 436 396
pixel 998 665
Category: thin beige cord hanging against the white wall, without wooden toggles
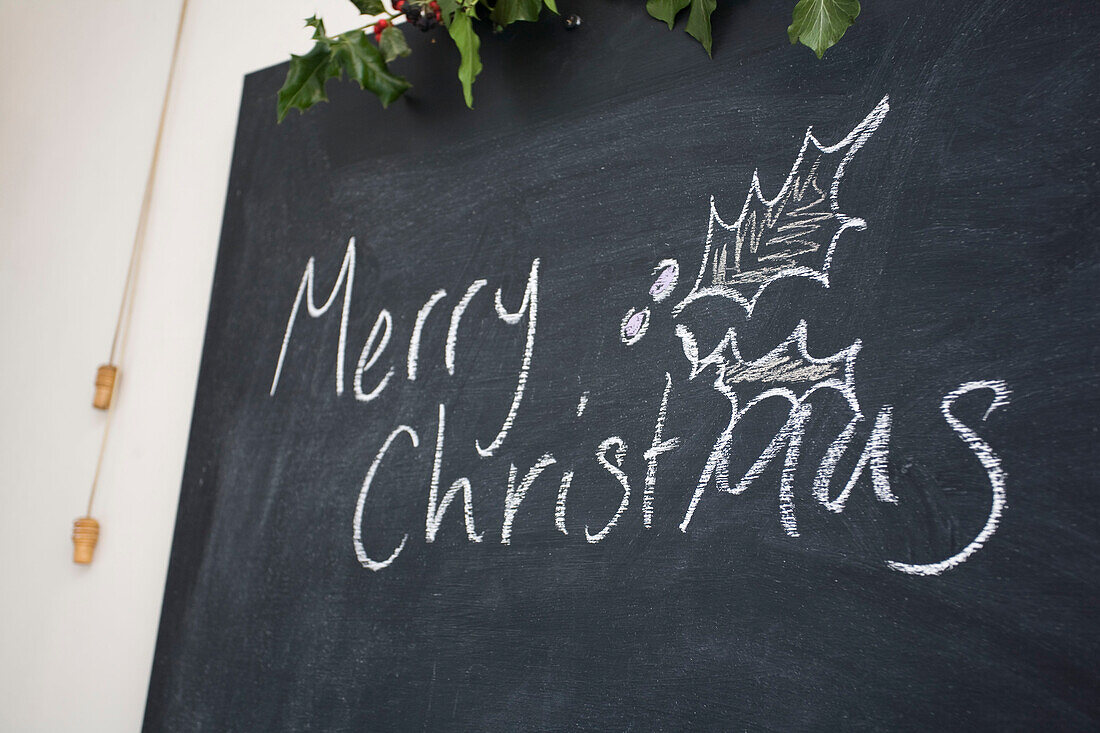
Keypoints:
pixel 127 307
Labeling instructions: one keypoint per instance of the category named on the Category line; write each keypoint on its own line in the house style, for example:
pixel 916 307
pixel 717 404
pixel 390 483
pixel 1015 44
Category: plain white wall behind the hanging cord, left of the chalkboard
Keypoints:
pixel 82 85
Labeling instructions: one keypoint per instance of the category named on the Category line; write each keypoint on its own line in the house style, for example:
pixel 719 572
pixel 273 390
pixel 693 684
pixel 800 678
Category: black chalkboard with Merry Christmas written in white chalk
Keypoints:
pixel 657 392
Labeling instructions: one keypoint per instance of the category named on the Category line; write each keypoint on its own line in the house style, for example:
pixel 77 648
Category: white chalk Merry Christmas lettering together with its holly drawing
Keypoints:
pixel 790 236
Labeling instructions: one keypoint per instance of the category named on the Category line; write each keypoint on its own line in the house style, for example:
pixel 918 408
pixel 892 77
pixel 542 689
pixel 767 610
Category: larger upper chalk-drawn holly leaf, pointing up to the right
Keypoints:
pixel 790 236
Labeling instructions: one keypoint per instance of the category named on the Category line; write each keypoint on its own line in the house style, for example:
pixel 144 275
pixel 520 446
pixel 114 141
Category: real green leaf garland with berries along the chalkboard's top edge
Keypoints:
pixel 816 24
